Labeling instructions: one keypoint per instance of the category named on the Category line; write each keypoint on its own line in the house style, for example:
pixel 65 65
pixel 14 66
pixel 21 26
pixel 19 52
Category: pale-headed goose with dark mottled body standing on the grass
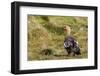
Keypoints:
pixel 70 43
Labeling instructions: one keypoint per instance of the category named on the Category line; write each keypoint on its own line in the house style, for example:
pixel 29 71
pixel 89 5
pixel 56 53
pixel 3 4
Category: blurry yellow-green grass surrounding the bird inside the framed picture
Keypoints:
pixel 46 36
